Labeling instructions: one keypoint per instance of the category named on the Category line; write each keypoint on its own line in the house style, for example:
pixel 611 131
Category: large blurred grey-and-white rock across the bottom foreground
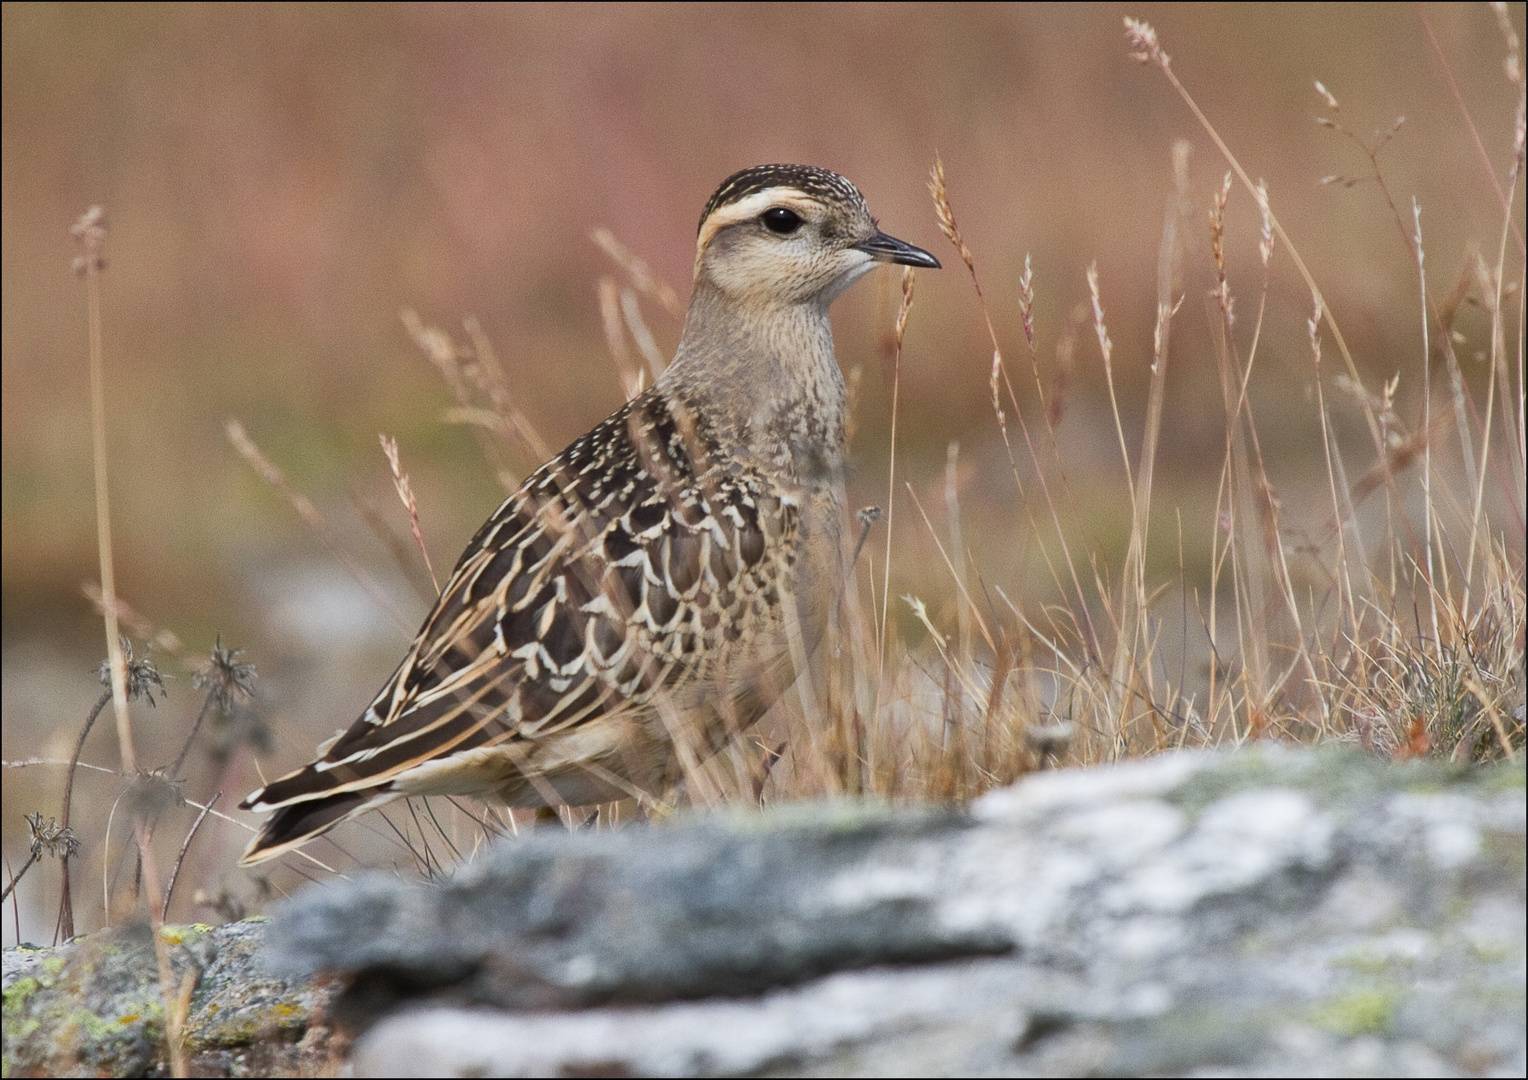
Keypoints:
pixel 1269 911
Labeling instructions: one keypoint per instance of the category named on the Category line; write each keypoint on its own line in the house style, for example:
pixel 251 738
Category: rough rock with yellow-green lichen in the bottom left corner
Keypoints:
pixel 94 1007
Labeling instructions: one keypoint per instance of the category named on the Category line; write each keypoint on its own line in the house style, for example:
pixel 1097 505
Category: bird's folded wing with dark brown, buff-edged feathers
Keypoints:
pixel 615 572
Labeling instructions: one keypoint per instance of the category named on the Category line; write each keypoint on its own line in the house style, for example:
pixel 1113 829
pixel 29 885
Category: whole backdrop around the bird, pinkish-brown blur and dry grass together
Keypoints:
pixel 1173 514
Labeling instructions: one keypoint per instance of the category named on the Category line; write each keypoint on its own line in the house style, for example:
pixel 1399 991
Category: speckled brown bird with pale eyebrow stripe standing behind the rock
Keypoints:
pixel 670 572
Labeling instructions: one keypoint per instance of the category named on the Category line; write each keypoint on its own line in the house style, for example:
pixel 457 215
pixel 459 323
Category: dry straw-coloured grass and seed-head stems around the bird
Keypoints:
pixel 1382 606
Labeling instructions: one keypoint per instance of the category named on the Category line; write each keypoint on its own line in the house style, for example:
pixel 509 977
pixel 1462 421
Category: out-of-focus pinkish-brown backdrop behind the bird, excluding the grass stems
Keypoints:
pixel 283 181
